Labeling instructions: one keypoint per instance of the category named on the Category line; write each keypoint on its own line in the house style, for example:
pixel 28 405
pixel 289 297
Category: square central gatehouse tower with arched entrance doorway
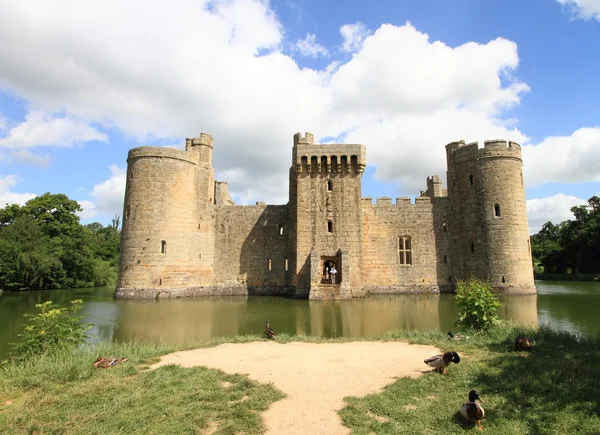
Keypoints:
pixel 325 197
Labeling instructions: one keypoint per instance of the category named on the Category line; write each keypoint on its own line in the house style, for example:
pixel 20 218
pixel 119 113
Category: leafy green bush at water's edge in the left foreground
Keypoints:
pixel 51 329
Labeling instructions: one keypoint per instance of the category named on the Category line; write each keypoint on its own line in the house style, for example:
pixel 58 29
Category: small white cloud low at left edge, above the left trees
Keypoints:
pixel 42 129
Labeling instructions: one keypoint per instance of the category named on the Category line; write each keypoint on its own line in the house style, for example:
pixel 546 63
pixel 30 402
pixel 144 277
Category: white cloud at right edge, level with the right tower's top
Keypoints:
pixel 564 159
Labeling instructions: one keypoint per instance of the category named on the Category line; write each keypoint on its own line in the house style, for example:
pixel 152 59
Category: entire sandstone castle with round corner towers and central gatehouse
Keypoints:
pixel 183 236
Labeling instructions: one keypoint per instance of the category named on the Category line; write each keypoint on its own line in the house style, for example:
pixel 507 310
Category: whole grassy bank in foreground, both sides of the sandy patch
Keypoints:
pixel 553 389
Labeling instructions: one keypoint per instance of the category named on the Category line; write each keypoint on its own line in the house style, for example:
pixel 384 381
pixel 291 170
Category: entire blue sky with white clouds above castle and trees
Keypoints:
pixel 82 84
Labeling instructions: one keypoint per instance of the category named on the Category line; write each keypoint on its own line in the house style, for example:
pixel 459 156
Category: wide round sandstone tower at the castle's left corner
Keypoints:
pixel 167 194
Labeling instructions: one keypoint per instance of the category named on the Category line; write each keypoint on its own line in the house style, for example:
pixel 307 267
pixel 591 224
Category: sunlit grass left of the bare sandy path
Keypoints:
pixel 65 394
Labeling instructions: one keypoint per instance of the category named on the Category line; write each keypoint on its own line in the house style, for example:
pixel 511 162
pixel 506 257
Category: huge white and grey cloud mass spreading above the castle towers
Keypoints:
pixel 219 67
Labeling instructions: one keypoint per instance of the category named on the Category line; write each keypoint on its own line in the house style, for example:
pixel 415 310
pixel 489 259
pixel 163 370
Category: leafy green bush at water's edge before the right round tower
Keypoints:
pixel 477 303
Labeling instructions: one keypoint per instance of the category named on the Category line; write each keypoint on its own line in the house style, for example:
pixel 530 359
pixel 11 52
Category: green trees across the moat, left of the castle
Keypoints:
pixel 44 246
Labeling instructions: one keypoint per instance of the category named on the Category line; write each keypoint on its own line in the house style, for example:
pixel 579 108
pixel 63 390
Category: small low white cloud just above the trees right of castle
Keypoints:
pixel 555 209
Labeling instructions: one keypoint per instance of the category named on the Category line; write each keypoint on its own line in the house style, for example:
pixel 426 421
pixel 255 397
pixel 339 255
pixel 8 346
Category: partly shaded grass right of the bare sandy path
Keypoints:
pixel 554 389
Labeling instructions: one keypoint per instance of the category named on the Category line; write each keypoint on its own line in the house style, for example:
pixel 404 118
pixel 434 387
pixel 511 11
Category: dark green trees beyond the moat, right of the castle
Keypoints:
pixel 572 246
